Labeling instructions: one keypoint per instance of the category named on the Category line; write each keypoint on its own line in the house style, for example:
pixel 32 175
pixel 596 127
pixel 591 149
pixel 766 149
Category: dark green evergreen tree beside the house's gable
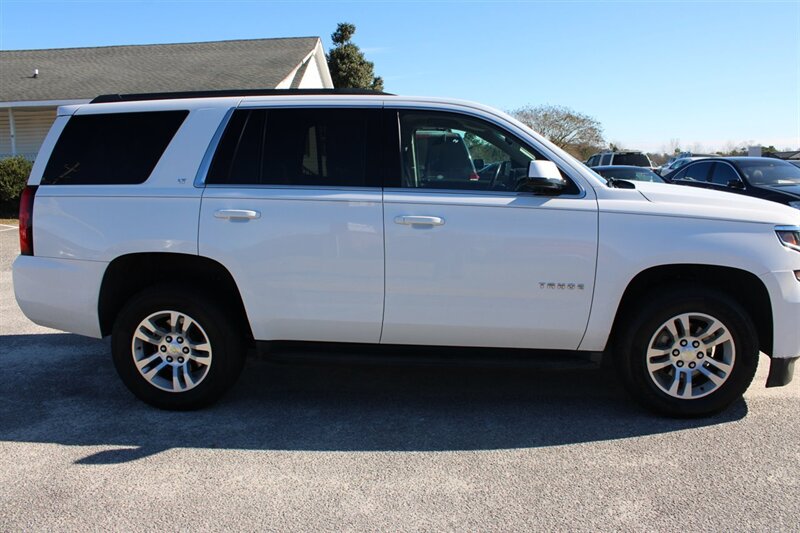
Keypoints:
pixel 349 68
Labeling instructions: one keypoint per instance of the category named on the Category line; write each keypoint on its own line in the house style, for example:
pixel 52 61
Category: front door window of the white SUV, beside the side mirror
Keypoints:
pixel 449 151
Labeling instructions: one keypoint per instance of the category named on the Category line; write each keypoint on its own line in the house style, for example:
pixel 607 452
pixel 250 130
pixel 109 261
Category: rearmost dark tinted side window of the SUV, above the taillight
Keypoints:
pixel 115 148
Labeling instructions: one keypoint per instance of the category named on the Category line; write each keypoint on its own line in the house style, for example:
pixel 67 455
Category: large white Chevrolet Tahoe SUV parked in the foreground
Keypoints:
pixel 192 227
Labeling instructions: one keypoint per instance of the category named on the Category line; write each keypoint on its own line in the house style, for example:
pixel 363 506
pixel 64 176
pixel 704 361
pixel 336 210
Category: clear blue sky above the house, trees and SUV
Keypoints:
pixel 710 74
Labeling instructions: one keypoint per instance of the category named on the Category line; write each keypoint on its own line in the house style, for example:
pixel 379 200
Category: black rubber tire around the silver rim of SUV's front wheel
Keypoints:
pixel 643 323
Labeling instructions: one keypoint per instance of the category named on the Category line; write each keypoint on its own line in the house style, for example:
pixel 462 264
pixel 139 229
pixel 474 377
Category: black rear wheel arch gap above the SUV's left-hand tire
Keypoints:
pixel 129 274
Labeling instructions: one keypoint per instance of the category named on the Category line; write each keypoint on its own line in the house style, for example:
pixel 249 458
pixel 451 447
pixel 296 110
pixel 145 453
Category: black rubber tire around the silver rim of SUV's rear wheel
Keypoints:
pixel 227 348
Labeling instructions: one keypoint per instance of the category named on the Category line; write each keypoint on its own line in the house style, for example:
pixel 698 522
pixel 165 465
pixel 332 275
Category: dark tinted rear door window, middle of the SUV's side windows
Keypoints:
pixel 299 147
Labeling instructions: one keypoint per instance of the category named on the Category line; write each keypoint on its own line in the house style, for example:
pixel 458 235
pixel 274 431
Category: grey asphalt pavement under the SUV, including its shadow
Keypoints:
pixel 320 447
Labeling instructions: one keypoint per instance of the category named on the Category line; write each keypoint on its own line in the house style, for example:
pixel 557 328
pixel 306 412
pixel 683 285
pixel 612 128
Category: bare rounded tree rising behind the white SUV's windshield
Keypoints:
pixel 579 134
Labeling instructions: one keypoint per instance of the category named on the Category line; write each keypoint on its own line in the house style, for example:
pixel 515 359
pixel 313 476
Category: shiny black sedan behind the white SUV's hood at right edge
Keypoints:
pixel 762 177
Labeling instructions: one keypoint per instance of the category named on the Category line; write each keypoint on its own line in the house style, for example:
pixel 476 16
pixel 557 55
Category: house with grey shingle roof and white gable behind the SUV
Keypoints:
pixel 33 83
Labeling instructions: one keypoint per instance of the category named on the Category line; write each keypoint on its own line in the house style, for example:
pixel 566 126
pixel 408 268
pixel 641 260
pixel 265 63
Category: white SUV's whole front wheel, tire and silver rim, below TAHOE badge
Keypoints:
pixel 688 352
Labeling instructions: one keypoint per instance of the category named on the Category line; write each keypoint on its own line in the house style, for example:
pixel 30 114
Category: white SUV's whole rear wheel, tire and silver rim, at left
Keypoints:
pixel 176 350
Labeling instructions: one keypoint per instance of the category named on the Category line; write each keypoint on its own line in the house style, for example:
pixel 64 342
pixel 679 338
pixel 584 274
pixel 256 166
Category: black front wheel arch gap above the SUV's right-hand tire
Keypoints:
pixel 743 286
